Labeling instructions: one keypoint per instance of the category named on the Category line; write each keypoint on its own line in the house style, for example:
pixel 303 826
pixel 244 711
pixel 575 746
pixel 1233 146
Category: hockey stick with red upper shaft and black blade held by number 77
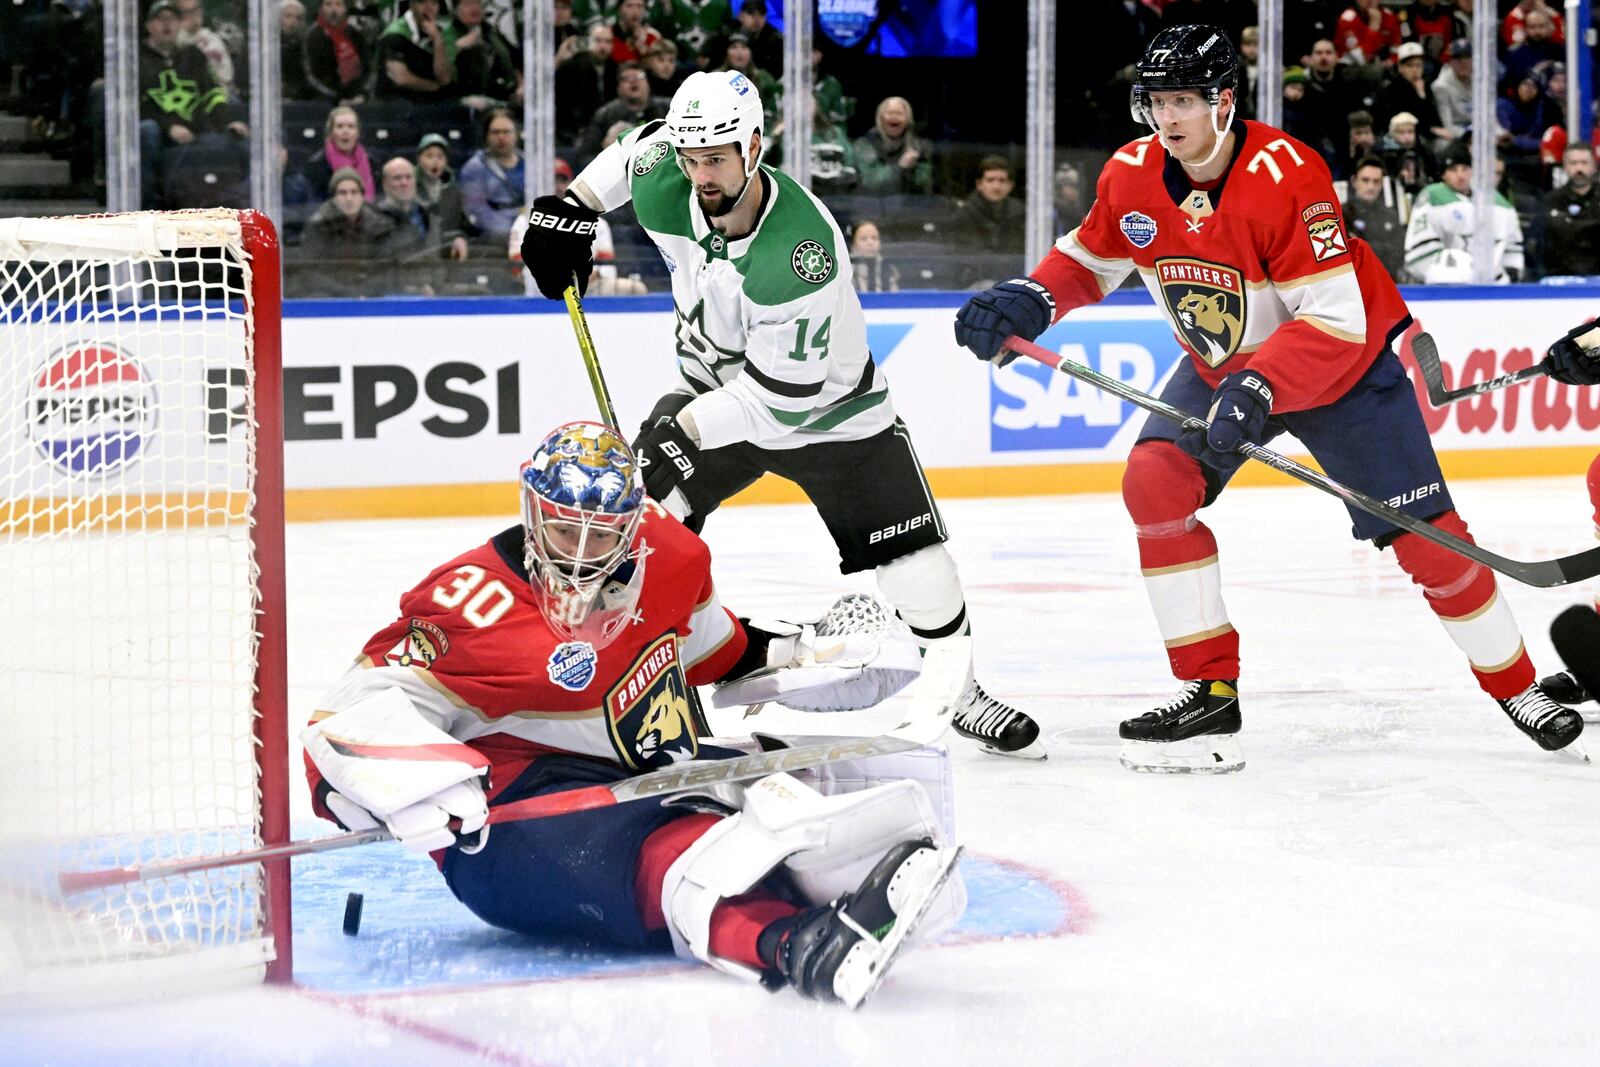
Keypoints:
pixel 1542 573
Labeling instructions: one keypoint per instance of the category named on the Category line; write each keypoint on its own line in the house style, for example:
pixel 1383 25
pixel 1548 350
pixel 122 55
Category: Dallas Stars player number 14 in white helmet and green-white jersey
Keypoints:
pixel 774 354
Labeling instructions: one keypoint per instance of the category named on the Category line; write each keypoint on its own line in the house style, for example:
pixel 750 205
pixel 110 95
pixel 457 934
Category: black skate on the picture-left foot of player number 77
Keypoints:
pixel 1196 732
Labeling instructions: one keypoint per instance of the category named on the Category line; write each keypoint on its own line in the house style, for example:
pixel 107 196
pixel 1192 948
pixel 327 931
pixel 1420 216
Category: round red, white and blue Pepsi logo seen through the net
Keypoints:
pixel 92 410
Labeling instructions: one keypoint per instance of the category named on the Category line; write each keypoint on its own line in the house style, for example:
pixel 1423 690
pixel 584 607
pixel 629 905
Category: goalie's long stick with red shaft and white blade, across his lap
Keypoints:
pixel 946 671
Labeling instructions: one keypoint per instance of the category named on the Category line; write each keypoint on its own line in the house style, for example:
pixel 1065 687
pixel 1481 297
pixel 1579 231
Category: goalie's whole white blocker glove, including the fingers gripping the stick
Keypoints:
pixel 386 765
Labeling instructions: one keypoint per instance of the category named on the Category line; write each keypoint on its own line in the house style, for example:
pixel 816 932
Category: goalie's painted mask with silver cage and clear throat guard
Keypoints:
pixel 582 506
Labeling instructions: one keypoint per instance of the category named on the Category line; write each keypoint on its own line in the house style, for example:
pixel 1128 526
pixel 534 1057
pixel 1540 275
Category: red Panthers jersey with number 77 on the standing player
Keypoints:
pixel 1254 270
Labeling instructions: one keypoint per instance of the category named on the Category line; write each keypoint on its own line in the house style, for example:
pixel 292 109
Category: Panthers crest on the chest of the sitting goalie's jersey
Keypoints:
pixel 649 709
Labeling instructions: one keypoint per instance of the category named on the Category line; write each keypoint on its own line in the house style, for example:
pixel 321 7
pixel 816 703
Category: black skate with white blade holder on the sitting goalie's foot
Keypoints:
pixel 844 949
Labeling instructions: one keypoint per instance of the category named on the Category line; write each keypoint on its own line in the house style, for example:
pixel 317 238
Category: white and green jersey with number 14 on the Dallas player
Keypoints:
pixel 770 334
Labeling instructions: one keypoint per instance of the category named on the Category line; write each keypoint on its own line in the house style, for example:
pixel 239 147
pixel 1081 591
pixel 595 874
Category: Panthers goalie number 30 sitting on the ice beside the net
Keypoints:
pixel 559 655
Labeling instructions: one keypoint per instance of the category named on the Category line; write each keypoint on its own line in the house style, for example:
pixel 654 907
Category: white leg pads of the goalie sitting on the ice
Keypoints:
pixel 830 844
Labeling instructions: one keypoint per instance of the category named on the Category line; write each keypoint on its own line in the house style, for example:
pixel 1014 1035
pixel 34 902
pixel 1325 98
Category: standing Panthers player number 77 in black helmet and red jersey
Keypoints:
pixel 1289 326
